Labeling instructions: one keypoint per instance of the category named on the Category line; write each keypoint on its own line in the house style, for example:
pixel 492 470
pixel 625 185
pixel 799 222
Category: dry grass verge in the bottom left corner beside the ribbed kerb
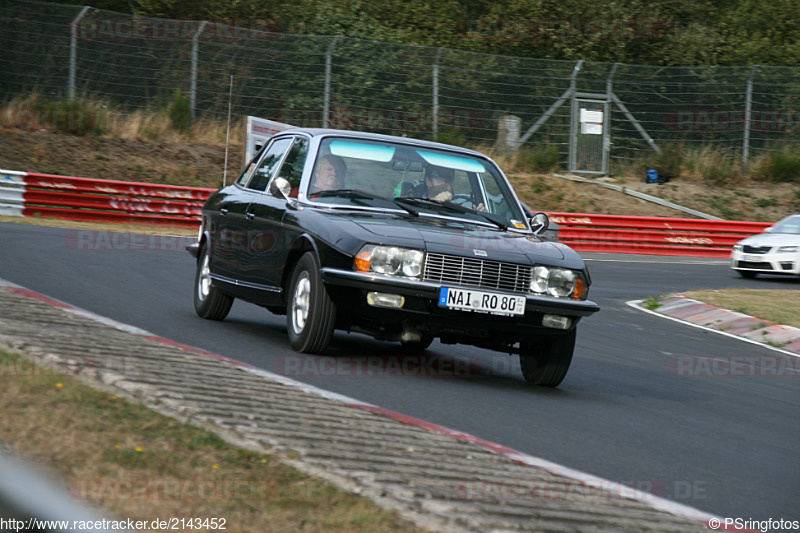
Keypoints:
pixel 134 463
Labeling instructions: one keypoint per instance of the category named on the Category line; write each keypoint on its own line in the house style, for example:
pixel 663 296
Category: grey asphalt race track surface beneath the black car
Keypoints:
pixel 725 444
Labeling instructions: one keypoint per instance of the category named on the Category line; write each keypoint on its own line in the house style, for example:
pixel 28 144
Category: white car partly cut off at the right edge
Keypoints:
pixel 776 251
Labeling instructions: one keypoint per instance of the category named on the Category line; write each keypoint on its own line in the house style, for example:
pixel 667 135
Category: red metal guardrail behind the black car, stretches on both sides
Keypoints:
pixel 84 199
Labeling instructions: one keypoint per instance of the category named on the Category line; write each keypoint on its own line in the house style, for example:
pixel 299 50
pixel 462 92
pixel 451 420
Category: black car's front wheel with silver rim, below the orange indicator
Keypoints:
pixel 311 314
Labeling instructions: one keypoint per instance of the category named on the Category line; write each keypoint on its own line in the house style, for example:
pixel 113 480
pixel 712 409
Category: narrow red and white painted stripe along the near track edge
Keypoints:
pixel 621 490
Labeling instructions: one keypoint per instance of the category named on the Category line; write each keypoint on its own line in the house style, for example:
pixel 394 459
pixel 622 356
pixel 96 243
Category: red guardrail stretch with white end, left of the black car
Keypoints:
pixel 92 200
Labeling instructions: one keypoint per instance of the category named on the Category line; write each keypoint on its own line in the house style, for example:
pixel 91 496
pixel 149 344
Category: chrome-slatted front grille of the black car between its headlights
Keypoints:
pixel 479 273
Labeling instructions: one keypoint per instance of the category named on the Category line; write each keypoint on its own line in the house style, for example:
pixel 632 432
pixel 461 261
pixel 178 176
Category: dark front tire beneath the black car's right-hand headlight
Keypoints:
pixel 545 360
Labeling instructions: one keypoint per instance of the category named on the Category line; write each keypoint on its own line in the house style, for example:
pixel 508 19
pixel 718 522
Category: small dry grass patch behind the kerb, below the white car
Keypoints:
pixel 778 306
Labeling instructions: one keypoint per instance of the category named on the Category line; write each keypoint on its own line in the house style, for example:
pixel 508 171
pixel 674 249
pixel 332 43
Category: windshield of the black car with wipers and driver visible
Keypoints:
pixel 421 180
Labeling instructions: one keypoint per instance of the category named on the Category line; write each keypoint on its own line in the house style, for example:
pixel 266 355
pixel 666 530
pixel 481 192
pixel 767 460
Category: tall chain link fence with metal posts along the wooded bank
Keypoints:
pixel 138 63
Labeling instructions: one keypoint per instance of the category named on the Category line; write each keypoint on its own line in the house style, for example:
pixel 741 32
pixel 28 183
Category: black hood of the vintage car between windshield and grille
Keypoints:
pixel 453 237
